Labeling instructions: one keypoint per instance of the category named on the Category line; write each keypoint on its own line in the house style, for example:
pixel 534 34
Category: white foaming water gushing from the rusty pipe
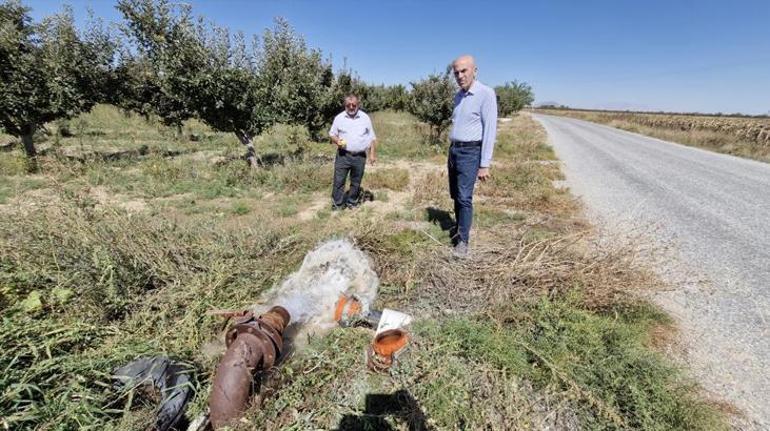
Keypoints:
pixel 311 293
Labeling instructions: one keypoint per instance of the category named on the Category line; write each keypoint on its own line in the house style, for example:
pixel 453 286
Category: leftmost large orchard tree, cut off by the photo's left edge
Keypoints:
pixel 48 71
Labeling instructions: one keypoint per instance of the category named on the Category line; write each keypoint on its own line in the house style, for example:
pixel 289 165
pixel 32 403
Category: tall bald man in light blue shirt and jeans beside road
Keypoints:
pixel 474 127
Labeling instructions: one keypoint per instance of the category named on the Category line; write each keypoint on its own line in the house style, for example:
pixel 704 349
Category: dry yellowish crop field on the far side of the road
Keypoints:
pixel 740 136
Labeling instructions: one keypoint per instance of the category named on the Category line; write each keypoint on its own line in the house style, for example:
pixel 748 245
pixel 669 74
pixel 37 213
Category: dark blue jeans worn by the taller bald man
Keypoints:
pixel 463 166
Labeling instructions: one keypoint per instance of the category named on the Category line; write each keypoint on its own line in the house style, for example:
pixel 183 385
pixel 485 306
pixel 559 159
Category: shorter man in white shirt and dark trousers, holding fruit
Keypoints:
pixel 353 134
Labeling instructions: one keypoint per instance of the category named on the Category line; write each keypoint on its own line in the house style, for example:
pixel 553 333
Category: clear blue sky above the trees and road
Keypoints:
pixel 675 55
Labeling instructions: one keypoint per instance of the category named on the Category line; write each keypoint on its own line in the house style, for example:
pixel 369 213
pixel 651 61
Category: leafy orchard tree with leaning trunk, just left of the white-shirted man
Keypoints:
pixel 245 91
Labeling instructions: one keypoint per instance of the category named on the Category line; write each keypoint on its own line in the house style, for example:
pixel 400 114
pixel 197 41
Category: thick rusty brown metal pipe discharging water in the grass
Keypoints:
pixel 253 345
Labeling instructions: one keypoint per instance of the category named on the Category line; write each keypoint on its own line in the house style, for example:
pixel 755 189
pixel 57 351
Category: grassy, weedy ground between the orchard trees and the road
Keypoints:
pixel 105 260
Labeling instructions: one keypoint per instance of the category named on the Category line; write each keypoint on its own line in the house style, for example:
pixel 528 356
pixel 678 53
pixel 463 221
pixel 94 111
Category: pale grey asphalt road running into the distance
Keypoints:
pixel 708 216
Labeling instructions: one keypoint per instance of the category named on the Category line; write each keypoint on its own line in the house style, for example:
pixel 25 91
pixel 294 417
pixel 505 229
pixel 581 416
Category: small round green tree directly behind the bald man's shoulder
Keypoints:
pixel 431 101
